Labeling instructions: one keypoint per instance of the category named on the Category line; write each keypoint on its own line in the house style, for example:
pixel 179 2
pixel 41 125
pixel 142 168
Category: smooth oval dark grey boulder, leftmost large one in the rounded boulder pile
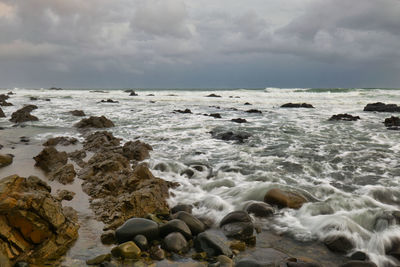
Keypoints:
pixel 134 227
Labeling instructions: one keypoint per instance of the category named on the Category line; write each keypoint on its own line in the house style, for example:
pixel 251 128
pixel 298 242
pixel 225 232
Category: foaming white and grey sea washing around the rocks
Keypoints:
pixel 349 170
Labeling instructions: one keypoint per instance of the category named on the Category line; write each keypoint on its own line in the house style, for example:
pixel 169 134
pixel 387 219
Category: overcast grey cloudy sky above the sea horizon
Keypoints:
pixel 199 43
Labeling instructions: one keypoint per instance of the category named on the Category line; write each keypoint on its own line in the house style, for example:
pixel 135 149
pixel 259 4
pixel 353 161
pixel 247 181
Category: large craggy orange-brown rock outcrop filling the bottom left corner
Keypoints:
pixel 33 226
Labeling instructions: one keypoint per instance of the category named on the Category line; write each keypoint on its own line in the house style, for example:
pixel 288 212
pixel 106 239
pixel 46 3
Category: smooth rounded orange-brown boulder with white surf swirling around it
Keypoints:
pixel 284 198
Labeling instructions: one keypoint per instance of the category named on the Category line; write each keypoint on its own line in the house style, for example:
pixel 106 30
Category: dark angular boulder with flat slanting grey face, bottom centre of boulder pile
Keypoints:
pixel 213 245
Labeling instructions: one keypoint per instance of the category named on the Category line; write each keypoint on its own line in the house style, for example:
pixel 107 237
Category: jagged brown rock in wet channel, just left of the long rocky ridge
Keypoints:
pixel 50 159
